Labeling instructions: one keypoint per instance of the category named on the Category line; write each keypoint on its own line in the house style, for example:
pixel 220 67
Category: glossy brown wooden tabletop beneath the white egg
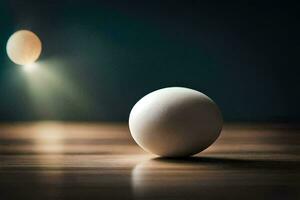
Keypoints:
pixel 50 160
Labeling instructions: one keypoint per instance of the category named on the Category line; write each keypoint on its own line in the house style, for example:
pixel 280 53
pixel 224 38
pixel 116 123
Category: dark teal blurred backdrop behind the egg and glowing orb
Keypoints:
pixel 245 56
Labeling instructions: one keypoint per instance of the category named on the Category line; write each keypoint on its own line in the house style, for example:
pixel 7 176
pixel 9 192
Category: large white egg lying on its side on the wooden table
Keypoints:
pixel 175 122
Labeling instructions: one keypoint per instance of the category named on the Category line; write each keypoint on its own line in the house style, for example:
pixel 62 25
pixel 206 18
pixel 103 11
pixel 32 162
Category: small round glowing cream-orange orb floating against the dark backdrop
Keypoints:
pixel 24 47
